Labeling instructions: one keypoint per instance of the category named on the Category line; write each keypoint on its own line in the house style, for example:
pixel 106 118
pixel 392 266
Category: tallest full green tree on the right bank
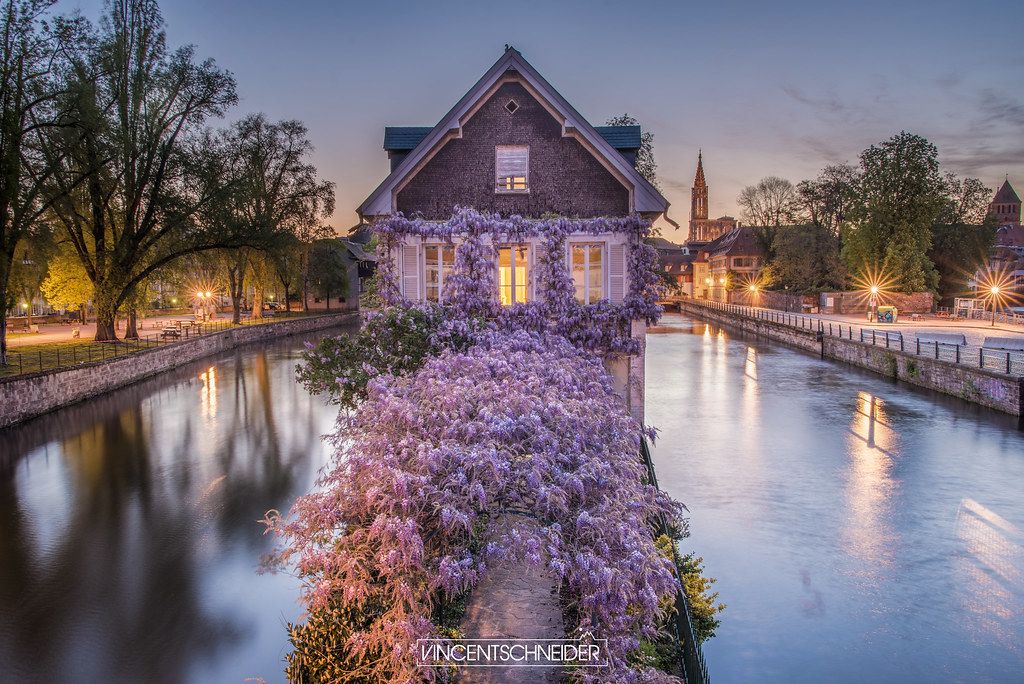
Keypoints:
pixel 902 198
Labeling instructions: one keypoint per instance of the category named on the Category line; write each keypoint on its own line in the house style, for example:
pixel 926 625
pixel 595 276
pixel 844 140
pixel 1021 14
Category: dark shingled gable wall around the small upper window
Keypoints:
pixel 565 178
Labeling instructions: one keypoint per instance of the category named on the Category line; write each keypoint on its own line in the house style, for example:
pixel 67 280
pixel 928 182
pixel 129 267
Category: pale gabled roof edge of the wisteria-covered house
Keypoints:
pixel 645 198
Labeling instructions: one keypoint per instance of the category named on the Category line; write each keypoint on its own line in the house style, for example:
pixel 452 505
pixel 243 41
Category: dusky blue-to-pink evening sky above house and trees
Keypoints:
pixel 781 89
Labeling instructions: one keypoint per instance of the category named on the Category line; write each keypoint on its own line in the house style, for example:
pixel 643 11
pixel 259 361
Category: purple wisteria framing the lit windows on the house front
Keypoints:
pixel 473 291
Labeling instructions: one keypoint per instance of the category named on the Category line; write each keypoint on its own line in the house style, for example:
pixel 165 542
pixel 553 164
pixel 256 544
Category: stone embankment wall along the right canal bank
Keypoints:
pixel 995 391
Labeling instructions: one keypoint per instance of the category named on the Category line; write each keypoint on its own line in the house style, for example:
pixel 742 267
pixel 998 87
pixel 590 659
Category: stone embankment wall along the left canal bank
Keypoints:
pixel 25 397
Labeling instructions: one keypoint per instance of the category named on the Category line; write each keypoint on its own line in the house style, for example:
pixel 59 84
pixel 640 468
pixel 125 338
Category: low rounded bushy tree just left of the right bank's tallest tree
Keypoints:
pixel 807 260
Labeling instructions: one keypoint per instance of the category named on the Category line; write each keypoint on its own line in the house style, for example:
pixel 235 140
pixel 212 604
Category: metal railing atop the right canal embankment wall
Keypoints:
pixel 1000 361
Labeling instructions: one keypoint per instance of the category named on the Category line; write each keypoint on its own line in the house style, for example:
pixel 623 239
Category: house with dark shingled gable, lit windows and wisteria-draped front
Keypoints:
pixel 514 149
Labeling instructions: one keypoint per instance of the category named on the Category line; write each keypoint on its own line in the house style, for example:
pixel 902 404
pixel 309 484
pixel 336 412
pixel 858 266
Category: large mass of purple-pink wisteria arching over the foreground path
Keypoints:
pixel 406 518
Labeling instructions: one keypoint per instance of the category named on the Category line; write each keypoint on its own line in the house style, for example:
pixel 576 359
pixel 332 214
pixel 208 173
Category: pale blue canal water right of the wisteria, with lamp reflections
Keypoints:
pixel 860 530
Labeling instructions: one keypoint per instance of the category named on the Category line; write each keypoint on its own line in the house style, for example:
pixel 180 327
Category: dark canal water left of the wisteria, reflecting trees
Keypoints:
pixel 130 540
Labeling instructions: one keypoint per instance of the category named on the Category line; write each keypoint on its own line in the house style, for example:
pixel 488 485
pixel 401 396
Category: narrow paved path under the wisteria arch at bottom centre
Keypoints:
pixel 515 601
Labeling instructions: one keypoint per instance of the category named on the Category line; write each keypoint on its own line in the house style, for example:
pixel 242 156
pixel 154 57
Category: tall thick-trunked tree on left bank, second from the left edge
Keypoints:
pixel 136 103
